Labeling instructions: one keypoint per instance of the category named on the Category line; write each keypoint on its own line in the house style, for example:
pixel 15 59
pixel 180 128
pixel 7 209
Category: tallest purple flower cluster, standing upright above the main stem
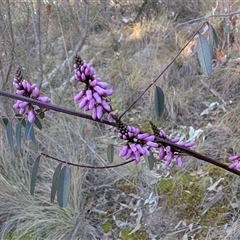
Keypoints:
pixel 95 95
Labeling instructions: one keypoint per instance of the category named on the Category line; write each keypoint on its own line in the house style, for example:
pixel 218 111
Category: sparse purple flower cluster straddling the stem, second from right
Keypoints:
pixel 168 153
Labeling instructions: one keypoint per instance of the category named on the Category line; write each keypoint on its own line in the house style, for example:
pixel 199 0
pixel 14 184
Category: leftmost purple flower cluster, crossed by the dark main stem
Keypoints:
pixel 24 88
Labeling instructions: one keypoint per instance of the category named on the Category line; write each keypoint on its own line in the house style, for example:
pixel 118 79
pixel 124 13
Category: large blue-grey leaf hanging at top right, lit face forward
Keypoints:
pixel 204 55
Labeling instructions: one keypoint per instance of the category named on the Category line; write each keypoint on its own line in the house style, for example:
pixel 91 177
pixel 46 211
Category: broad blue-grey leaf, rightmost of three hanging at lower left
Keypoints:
pixel 63 188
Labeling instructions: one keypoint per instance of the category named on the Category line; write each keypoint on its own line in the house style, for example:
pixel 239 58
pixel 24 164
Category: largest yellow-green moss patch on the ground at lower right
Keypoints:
pixel 185 193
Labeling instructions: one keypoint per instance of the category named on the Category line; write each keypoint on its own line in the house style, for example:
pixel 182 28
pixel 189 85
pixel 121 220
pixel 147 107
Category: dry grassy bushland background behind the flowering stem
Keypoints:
pixel 128 42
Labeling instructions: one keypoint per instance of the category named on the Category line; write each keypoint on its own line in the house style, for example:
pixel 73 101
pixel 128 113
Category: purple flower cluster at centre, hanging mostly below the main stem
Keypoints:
pixel 138 143
